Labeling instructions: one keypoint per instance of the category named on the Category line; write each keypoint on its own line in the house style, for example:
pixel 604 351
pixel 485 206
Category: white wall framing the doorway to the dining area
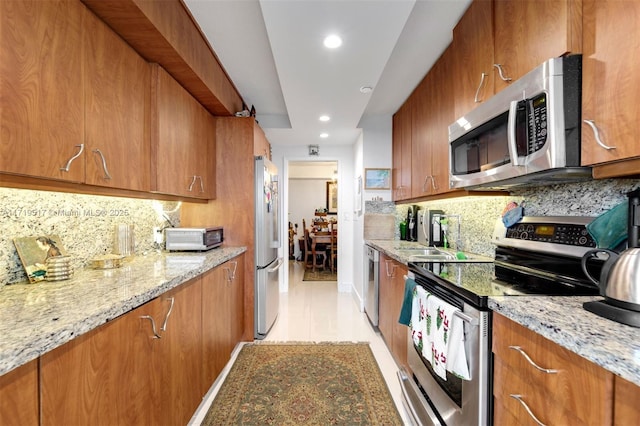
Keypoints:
pixel 343 154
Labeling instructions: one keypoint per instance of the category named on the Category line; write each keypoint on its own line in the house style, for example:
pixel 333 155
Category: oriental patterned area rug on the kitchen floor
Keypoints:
pixel 304 384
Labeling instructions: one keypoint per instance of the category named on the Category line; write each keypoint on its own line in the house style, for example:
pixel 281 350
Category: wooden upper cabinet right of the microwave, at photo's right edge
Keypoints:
pixel 611 86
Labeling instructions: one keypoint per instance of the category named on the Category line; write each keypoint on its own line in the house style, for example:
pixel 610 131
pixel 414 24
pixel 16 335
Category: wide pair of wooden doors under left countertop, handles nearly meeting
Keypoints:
pixel 121 373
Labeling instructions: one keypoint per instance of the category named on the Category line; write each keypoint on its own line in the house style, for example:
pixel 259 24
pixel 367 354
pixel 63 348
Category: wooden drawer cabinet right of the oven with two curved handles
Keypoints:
pixel 577 392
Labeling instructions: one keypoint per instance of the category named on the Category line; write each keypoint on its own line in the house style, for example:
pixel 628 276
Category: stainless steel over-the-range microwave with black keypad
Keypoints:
pixel 527 134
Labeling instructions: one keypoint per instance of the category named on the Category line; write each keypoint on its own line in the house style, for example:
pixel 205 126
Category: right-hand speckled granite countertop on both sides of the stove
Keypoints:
pixel 561 319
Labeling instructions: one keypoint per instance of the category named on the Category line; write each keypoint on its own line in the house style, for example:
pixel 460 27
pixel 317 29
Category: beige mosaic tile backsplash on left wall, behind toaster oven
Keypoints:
pixel 84 223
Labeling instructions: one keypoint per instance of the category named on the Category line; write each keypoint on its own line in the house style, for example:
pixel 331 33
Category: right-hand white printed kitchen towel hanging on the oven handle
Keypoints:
pixel 445 333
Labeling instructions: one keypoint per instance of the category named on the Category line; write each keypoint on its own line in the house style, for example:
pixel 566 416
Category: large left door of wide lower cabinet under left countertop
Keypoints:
pixel 104 376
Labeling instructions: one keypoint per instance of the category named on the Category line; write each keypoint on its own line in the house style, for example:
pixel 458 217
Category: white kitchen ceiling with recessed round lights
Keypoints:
pixel 272 50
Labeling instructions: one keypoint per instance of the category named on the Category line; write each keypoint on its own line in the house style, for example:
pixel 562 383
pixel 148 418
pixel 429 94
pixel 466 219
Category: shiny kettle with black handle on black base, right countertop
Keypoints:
pixel 620 276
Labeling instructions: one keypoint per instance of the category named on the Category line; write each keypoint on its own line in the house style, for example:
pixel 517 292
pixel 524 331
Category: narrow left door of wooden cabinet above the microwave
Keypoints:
pixel 473 57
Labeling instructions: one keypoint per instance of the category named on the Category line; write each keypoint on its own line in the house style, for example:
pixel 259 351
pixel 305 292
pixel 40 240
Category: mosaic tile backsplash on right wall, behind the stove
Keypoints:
pixel 479 213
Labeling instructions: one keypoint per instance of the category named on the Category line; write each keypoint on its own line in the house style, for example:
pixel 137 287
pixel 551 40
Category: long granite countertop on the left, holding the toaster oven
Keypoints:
pixel 36 318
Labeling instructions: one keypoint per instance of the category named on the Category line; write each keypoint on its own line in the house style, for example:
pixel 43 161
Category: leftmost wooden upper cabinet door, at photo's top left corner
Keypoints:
pixel 41 88
